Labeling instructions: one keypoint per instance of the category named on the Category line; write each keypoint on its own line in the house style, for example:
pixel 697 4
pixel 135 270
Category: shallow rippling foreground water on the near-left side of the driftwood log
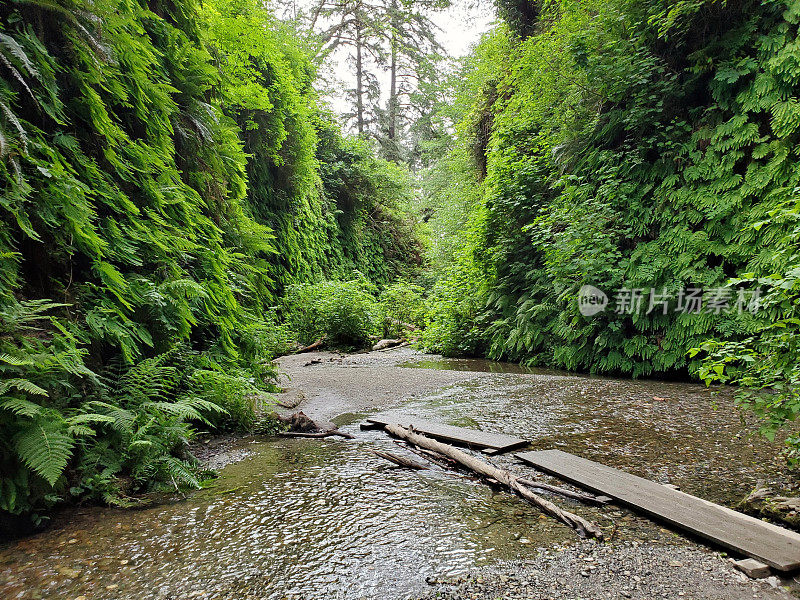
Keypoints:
pixel 295 519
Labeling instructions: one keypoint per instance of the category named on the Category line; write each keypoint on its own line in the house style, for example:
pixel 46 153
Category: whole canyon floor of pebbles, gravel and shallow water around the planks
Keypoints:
pixel 324 519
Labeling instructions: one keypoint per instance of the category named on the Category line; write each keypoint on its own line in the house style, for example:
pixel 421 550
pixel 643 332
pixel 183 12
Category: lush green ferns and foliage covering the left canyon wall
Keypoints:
pixel 166 172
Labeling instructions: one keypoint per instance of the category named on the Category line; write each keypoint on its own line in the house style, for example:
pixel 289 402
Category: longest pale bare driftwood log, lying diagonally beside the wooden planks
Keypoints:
pixel 505 478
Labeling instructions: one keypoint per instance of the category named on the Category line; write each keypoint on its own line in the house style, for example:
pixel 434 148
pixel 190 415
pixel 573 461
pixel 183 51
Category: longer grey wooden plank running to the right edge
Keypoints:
pixel 773 545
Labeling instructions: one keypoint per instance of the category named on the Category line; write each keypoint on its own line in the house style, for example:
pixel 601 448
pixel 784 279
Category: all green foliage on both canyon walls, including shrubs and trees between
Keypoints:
pixel 178 208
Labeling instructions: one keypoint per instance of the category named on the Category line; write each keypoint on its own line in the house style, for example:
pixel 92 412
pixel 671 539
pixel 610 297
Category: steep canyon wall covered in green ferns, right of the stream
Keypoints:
pixel 636 144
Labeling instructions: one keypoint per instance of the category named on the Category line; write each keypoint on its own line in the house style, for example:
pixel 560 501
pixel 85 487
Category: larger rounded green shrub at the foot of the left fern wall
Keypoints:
pixel 345 312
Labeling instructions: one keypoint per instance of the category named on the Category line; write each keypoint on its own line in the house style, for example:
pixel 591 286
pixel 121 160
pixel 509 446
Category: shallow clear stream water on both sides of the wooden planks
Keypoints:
pixel 324 519
